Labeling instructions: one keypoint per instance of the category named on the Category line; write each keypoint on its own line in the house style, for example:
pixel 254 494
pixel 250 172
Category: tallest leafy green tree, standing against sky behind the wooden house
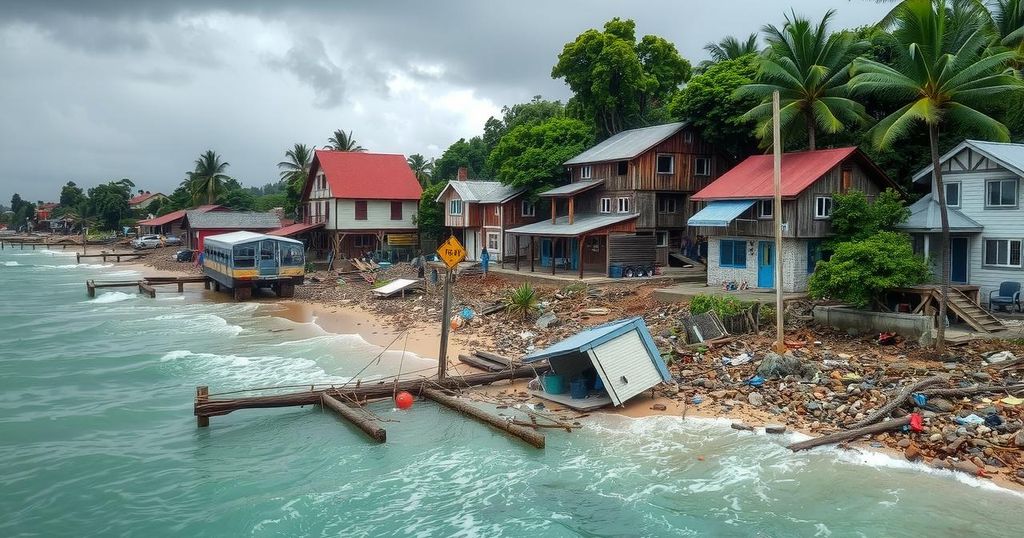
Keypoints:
pixel 618 82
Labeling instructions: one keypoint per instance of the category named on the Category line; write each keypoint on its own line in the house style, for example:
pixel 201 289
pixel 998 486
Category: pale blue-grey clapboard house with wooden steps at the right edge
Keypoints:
pixel 987 222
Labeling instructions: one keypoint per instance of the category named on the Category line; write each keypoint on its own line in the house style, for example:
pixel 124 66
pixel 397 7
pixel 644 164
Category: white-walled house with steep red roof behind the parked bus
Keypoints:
pixel 358 203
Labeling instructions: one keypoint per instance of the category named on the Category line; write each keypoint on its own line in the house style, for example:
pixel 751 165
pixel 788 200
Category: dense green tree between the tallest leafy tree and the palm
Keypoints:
pixel 709 102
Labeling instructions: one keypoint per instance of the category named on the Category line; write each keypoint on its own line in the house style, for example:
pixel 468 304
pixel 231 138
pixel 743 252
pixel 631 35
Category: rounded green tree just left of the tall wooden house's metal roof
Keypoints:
pixel 532 156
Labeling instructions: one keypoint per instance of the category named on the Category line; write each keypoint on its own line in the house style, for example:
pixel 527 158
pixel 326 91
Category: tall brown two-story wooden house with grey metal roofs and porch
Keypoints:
pixel 627 202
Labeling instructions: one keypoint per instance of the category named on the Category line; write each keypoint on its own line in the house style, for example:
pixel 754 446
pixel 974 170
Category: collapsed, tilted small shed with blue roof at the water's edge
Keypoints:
pixel 619 358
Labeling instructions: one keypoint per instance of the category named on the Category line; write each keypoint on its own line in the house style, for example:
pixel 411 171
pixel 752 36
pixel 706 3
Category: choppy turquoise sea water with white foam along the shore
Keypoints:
pixel 98 439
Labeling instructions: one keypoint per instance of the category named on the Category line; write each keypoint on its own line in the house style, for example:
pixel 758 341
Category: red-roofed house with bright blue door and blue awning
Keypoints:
pixel 739 222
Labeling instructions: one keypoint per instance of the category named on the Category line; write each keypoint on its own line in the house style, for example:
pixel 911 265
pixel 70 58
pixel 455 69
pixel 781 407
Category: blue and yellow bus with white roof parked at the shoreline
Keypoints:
pixel 244 261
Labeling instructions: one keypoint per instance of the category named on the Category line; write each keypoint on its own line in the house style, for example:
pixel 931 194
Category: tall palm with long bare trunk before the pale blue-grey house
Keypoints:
pixel 943 74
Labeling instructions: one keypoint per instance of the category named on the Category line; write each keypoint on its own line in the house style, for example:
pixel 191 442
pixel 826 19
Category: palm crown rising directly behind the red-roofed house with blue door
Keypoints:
pixel 809 68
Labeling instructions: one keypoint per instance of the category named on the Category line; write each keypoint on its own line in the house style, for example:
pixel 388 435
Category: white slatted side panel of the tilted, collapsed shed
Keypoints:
pixel 625 367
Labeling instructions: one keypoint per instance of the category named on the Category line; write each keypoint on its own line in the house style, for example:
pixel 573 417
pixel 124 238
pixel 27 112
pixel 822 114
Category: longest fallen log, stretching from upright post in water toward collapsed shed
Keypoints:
pixel 223 406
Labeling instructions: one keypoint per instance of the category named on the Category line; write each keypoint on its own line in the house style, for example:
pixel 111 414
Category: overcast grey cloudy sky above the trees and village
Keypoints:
pixel 106 90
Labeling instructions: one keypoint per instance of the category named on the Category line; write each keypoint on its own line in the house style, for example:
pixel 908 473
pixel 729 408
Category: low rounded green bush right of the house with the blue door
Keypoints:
pixel 860 271
